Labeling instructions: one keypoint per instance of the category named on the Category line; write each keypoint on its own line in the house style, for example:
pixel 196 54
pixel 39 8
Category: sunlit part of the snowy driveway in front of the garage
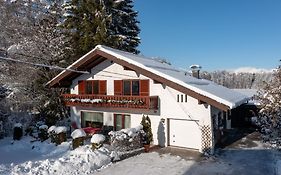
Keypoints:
pixel 149 163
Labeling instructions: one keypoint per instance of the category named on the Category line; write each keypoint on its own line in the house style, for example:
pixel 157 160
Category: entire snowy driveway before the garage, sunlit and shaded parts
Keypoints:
pixel 229 162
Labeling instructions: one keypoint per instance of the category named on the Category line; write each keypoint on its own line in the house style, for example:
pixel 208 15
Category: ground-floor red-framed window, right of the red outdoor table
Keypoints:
pixel 121 121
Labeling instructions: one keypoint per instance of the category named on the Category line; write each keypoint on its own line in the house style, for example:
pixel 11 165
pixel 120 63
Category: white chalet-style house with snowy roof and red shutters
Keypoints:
pixel 122 87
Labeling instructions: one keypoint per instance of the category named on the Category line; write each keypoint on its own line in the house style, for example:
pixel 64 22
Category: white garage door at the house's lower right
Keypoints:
pixel 185 133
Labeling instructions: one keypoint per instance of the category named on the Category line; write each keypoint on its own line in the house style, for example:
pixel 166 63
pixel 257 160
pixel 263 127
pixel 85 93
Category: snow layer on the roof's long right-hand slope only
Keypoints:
pixel 204 87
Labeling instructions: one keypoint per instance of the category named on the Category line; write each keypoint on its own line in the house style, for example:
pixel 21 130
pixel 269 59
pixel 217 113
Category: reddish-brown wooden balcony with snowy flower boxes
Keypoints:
pixel 112 101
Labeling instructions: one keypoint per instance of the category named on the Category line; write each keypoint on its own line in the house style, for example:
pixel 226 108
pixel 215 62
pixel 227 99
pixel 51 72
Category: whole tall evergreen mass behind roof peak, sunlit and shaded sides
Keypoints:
pixel 108 22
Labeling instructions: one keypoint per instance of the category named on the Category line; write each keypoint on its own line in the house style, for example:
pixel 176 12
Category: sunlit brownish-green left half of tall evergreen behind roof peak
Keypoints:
pixel 86 23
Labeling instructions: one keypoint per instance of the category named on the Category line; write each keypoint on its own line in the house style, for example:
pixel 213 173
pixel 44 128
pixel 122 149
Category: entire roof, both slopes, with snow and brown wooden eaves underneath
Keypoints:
pixel 203 90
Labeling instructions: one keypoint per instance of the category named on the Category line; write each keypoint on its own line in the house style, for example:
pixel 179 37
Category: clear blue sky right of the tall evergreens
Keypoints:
pixel 217 34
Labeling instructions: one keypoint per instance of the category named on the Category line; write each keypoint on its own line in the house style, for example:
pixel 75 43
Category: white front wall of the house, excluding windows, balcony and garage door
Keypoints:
pixel 169 107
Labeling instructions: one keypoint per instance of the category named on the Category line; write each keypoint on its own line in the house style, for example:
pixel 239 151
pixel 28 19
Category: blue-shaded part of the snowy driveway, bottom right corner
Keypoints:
pixel 239 162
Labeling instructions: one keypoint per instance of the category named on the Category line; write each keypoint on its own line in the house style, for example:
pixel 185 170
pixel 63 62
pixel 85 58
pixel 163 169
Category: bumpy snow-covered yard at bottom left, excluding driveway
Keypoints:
pixel 24 157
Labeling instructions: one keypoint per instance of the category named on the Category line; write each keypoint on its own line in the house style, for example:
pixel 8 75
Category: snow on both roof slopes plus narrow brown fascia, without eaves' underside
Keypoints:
pixel 204 88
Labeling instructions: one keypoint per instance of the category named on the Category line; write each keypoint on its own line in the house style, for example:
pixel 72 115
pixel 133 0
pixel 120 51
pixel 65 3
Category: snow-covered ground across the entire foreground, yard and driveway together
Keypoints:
pixel 25 157
